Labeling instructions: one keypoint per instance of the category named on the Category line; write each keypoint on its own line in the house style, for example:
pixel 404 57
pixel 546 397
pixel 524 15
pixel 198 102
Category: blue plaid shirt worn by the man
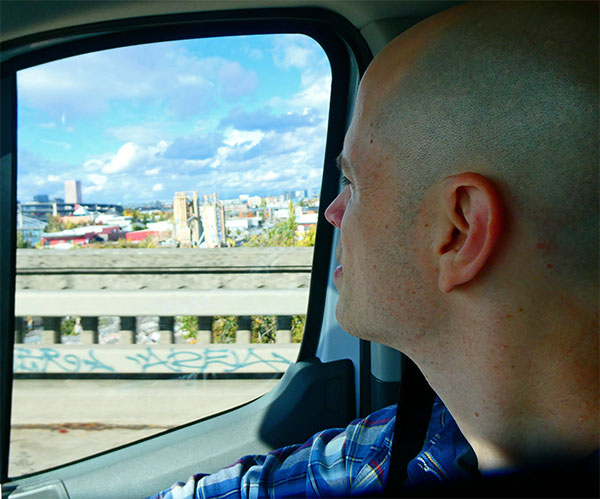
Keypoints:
pixel 338 462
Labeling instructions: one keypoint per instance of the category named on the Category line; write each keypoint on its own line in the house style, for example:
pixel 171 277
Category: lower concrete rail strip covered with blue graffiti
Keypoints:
pixel 151 360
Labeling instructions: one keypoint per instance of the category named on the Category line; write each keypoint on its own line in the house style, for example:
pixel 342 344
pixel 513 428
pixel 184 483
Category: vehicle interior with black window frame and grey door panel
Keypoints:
pixel 336 377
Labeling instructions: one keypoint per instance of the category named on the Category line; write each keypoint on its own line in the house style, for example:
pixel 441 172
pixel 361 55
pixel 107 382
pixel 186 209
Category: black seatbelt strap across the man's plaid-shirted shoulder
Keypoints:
pixel 412 419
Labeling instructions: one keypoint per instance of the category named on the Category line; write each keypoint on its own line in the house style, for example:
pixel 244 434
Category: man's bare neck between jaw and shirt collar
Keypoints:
pixel 520 399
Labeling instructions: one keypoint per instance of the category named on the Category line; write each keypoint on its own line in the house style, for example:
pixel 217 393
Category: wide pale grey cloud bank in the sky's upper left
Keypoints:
pixel 87 85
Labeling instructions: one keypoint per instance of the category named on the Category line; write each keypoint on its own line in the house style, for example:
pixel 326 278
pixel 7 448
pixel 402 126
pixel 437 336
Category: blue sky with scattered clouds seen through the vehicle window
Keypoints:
pixel 232 115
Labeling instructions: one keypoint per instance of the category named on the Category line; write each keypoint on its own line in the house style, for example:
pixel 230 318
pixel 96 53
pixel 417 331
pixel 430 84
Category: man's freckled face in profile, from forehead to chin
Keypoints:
pixel 374 245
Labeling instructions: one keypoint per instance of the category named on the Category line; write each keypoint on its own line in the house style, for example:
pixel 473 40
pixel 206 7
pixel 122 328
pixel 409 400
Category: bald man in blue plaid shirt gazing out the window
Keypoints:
pixel 469 241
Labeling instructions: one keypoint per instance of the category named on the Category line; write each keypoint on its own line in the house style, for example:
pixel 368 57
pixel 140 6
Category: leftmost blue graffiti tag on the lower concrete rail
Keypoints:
pixel 51 360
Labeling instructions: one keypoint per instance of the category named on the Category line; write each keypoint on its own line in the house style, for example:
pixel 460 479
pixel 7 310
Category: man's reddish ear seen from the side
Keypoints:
pixel 472 222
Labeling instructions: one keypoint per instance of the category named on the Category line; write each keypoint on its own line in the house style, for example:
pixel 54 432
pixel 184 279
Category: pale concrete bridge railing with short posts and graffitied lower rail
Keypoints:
pixel 171 352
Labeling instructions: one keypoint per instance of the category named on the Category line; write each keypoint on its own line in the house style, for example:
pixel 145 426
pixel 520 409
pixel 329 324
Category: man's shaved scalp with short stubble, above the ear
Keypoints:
pixel 508 90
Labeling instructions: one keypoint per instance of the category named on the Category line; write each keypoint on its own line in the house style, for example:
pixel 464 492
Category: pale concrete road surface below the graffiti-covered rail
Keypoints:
pixel 58 421
